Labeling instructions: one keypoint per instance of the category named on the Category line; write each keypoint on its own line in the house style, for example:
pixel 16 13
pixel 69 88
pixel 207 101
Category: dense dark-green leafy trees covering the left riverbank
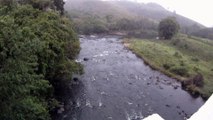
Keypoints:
pixel 37 50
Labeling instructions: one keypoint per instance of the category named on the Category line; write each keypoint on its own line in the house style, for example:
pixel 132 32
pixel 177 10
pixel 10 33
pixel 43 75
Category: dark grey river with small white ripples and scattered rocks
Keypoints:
pixel 117 85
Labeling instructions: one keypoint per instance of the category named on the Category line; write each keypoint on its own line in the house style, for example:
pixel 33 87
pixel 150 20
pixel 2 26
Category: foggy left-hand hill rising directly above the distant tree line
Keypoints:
pixel 96 8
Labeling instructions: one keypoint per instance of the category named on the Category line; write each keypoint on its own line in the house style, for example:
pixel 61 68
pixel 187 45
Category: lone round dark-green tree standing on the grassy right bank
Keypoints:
pixel 168 27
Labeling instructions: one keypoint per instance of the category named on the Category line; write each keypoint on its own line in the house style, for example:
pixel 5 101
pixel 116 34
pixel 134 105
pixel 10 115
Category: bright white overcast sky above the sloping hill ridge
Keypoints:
pixel 198 10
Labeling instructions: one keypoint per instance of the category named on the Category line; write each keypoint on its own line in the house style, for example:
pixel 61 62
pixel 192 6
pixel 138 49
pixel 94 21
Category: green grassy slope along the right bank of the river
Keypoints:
pixel 190 53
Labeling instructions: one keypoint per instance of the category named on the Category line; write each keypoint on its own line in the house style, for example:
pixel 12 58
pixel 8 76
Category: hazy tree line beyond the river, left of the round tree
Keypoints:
pixel 90 24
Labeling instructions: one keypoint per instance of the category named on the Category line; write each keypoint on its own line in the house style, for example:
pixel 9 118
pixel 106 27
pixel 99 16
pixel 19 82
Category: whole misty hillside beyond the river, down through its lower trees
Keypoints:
pixel 110 15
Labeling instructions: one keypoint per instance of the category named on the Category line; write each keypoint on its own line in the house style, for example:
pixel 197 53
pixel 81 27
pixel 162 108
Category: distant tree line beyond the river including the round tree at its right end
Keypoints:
pixel 137 27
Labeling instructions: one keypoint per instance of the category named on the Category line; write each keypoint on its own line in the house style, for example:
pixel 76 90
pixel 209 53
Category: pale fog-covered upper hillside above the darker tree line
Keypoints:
pixel 117 10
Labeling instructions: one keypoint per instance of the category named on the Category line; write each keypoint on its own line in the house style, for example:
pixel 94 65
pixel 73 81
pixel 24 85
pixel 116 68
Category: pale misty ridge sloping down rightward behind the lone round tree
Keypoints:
pixel 155 12
